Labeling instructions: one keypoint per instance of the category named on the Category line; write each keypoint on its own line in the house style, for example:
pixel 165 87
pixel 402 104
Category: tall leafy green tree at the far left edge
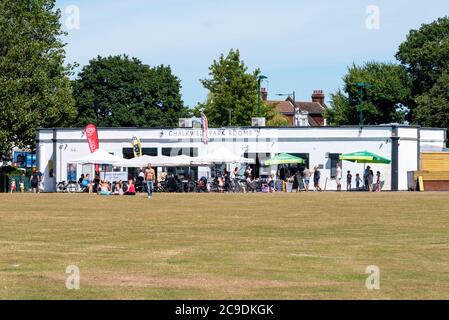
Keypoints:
pixel 35 89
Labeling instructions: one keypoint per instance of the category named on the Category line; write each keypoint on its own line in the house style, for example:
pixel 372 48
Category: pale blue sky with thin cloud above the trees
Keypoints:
pixel 300 46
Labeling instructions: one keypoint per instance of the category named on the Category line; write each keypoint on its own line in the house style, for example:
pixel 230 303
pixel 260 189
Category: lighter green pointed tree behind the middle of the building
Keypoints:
pixel 232 88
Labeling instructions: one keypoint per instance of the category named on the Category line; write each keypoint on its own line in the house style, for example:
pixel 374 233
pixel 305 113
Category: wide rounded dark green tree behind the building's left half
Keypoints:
pixel 118 91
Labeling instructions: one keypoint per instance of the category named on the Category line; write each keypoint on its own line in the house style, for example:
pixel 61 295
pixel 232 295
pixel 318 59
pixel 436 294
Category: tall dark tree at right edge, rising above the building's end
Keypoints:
pixel 425 54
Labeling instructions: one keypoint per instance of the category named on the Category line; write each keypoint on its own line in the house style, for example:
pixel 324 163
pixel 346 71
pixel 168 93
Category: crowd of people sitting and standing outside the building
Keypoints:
pixel 287 178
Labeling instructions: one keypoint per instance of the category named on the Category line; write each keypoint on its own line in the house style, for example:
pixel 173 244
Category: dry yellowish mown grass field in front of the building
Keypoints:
pixel 225 246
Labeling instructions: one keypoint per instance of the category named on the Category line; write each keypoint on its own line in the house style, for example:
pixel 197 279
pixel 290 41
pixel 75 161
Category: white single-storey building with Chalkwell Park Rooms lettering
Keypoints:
pixel 319 146
